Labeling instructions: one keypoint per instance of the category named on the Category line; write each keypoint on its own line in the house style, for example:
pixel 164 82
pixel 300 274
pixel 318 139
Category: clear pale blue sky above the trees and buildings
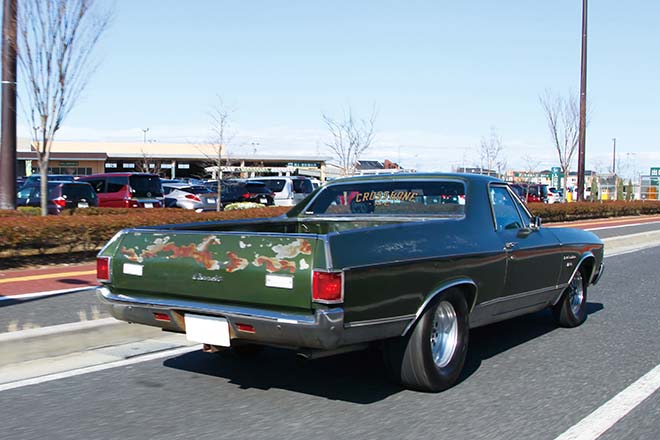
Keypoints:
pixel 440 73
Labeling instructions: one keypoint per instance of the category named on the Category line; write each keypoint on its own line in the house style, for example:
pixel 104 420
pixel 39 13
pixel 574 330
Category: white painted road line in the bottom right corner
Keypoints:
pixel 603 418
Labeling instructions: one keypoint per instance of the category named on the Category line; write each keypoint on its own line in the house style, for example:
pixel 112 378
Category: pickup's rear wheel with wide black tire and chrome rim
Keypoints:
pixel 410 359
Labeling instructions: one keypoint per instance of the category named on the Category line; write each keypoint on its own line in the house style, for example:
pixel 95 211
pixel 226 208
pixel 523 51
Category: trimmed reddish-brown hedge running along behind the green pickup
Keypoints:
pixel 88 229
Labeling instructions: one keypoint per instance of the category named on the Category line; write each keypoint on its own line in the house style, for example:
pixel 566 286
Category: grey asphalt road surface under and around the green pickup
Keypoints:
pixel 524 378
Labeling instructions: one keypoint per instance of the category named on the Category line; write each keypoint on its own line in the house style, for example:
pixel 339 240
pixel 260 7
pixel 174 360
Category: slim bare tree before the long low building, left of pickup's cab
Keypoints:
pixel 216 151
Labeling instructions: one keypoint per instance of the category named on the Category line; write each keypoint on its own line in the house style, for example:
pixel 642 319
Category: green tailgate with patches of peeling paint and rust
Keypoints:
pixel 224 267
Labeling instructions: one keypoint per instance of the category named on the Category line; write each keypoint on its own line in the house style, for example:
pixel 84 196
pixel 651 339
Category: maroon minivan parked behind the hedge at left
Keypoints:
pixel 127 190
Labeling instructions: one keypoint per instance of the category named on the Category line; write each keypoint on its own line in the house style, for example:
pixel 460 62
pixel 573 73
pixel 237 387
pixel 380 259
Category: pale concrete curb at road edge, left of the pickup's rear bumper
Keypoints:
pixel 62 339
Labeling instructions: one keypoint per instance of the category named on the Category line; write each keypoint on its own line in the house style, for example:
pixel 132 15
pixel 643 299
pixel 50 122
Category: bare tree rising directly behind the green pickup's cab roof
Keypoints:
pixel 350 138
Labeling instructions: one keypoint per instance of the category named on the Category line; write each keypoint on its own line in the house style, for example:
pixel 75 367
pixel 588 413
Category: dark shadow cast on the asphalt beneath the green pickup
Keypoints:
pixel 357 377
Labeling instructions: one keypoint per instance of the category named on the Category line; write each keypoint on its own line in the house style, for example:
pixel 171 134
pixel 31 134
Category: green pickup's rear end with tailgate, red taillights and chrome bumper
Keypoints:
pixel 225 287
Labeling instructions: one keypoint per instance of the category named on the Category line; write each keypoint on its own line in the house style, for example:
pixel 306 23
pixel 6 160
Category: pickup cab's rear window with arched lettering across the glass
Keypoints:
pixel 391 198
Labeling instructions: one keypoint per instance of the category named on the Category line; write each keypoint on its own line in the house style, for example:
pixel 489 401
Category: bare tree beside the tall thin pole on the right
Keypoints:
pixel 563 117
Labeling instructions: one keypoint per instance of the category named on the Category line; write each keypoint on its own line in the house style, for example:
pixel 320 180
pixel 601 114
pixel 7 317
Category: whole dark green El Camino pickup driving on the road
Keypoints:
pixel 409 262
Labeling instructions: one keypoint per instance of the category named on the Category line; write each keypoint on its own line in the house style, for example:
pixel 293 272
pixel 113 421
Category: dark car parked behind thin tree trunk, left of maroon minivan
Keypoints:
pixel 61 196
